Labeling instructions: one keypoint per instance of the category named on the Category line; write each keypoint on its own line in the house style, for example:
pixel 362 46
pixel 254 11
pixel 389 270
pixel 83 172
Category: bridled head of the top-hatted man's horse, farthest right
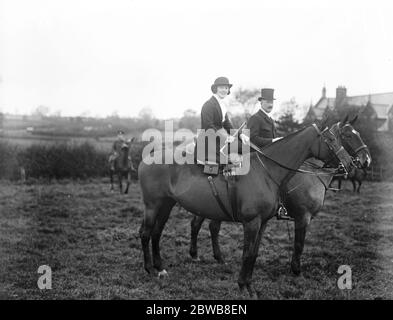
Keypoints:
pixel 352 142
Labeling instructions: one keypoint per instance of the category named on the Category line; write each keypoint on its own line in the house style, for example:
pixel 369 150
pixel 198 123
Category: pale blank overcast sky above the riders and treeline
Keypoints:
pixel 97 57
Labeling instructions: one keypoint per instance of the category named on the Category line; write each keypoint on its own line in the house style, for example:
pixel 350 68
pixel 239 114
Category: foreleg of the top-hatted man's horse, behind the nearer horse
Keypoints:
pixel 301 225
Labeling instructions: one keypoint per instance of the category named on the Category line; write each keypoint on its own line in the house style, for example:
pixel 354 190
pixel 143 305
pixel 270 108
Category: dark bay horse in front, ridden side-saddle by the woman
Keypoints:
pixel 164 185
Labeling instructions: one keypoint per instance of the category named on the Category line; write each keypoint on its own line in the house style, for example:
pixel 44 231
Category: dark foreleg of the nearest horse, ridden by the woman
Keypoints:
pixel 252 237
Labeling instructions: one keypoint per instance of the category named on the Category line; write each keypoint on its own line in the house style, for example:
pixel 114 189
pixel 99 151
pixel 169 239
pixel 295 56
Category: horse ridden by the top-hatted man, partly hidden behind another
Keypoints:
pixel 304 195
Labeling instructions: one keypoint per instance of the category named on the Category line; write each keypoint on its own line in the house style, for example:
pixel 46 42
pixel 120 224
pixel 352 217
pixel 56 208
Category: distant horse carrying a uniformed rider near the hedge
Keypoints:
pixel 123 166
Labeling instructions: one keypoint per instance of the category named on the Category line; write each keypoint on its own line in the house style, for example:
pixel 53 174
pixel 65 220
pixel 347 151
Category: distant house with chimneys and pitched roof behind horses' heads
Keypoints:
pixel 377 106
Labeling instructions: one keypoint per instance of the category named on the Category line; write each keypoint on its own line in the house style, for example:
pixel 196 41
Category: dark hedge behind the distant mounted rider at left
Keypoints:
pixel 75 161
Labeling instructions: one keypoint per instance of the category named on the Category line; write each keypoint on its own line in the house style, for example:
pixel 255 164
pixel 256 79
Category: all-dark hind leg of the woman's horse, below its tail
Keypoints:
pixel 145 231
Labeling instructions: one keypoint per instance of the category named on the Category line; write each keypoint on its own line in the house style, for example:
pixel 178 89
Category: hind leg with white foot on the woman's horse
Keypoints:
pixel 162 218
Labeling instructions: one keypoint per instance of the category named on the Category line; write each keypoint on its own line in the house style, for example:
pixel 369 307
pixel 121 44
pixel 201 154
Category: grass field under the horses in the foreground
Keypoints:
pixel 89 237
